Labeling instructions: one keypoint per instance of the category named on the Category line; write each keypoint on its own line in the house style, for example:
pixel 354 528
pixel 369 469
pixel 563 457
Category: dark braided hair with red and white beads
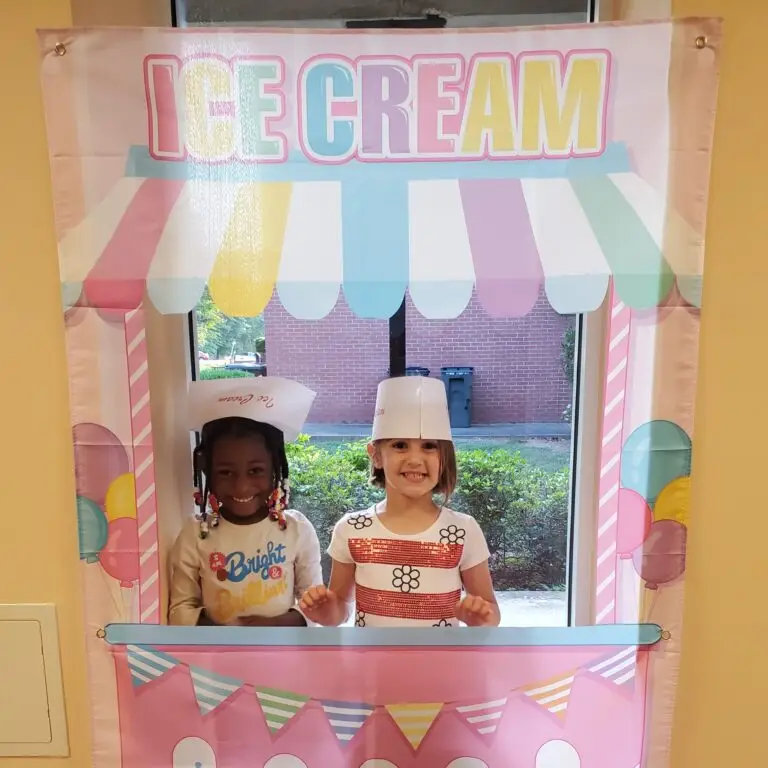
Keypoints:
pixel 238 427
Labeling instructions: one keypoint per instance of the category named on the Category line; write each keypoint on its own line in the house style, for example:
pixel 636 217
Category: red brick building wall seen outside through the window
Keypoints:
pixel 518 375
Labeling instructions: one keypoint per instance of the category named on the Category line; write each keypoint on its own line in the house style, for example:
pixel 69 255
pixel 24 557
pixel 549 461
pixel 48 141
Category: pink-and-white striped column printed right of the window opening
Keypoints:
pixel 612 439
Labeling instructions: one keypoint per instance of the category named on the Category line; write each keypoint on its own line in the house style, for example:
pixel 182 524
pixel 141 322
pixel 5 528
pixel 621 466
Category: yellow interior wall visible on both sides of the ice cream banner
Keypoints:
pixel 721 713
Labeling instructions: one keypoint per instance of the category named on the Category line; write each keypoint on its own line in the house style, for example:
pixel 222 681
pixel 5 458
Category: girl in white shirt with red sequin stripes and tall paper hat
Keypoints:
pixel 408 561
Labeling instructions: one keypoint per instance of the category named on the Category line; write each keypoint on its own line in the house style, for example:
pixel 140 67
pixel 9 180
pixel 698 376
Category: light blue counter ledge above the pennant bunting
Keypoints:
pixel 325 637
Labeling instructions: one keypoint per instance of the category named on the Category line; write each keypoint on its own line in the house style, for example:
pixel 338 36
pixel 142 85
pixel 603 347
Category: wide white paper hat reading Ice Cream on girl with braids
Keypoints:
pixel 271 400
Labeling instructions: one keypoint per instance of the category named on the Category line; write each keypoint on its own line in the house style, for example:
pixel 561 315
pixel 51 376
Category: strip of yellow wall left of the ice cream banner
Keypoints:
pixel 39 541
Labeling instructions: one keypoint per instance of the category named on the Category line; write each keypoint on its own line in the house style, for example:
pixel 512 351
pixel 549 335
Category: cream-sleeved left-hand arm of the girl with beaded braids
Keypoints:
pixel 186 598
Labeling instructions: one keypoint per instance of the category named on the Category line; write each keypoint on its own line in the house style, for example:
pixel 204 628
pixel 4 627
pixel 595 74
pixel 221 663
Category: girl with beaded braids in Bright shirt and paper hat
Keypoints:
pixel 246 557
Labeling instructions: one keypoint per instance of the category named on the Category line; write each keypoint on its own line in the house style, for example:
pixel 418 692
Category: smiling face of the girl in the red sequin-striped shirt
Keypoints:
pixel 410 466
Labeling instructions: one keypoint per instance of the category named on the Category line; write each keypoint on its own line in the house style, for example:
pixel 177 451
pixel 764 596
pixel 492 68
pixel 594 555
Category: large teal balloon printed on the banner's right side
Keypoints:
pixel 654 455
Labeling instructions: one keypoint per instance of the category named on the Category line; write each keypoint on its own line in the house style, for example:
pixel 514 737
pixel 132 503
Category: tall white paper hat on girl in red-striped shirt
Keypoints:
pixel 411 407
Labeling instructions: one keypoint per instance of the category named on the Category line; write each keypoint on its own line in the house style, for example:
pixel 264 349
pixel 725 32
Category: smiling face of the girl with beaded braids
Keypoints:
pixel 242 476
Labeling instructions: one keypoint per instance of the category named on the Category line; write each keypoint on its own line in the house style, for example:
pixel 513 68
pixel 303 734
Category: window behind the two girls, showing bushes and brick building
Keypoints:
pixel 519 387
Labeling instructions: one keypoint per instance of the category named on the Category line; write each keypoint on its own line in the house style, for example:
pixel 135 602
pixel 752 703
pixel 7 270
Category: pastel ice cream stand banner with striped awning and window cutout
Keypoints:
pixel 317 167
